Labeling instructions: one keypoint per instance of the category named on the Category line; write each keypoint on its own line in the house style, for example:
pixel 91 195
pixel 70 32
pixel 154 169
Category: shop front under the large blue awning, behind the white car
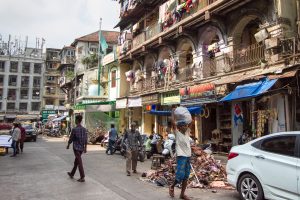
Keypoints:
pixel 255 111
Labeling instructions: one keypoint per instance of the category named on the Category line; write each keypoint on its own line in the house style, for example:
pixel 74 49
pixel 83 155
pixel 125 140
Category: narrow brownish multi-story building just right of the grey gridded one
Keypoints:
pixel 53 96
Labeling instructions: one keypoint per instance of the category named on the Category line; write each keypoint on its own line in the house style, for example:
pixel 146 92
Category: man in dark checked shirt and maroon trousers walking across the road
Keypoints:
pixel 79 139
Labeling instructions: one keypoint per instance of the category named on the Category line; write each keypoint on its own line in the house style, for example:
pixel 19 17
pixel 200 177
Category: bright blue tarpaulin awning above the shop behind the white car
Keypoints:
pixel 250 90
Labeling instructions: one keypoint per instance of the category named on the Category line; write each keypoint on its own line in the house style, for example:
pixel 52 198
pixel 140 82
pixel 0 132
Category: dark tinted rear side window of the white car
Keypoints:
pixel 284 145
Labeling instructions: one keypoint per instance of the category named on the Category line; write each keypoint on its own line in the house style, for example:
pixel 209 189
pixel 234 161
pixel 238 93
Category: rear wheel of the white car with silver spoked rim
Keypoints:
pixel 250 188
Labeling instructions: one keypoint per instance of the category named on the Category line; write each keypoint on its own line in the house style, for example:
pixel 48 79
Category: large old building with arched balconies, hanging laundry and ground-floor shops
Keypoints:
pixel 193 53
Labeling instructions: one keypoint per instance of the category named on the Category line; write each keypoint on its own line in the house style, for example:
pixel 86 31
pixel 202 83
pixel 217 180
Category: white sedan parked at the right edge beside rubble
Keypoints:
pixel 266 168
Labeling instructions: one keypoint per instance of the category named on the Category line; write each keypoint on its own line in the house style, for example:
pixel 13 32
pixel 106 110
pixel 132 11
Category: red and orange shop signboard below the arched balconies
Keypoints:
pixel 198 94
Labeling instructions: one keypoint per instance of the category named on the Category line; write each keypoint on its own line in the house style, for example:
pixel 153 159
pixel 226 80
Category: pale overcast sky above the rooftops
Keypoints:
pixel 58 21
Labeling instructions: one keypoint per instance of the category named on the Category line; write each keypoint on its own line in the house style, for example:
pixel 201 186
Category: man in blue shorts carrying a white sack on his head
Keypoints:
pixel 183 119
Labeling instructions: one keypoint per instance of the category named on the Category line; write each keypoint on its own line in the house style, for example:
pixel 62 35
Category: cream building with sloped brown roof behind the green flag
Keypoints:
pixel 91 86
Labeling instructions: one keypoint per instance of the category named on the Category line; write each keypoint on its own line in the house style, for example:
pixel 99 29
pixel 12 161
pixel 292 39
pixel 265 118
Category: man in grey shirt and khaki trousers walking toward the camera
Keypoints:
pixel 133 141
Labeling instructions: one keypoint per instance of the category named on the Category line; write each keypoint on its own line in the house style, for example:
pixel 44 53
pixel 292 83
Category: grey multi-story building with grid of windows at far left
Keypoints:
pixel 21 84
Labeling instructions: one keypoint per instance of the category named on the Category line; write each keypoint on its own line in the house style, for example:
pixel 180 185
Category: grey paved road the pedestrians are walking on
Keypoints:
pixel 40 173
